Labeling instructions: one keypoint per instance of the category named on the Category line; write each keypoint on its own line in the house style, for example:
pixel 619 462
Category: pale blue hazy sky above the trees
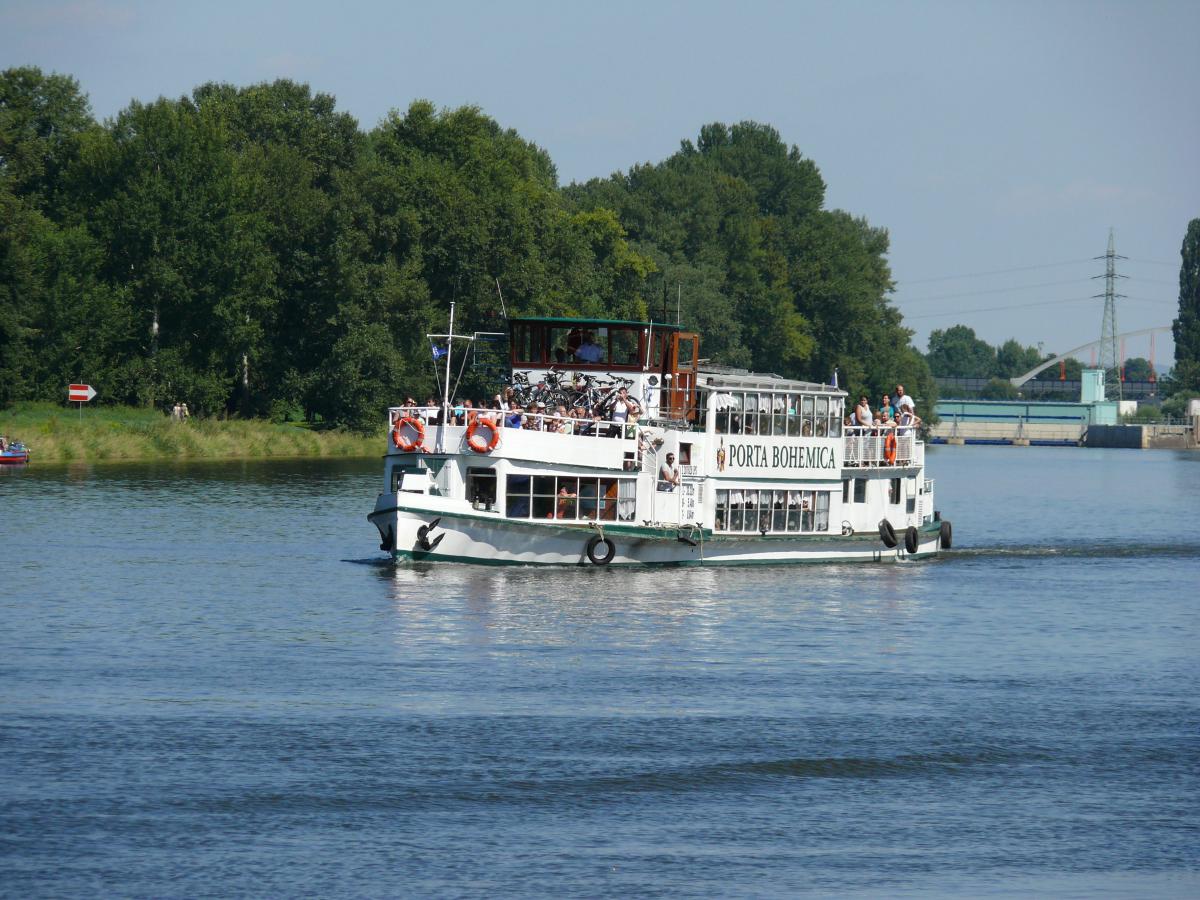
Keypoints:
pixel 997 141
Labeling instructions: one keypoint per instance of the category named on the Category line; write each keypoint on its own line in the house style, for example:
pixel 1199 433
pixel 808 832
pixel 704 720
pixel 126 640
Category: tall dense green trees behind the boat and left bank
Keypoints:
pixel 253 251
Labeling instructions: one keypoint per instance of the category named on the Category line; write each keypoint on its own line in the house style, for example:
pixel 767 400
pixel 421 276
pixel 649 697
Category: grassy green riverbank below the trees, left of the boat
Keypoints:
pixel 56 434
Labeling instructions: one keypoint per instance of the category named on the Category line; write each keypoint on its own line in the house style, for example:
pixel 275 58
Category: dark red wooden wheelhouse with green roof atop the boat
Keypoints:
pixel 609 345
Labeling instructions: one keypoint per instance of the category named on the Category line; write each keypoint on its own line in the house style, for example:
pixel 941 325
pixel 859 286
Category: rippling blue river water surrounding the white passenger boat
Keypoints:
pixel 209 686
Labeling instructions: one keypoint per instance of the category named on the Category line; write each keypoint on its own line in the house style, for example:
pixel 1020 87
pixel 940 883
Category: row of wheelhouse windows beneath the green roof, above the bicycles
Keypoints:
pixel 615 347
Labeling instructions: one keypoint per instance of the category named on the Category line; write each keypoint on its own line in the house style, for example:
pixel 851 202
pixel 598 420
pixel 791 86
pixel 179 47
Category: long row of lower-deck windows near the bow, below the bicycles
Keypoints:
pixel 572 499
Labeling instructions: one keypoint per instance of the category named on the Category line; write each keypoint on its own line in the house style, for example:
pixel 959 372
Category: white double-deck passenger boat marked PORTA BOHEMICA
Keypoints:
pixel 763 470
